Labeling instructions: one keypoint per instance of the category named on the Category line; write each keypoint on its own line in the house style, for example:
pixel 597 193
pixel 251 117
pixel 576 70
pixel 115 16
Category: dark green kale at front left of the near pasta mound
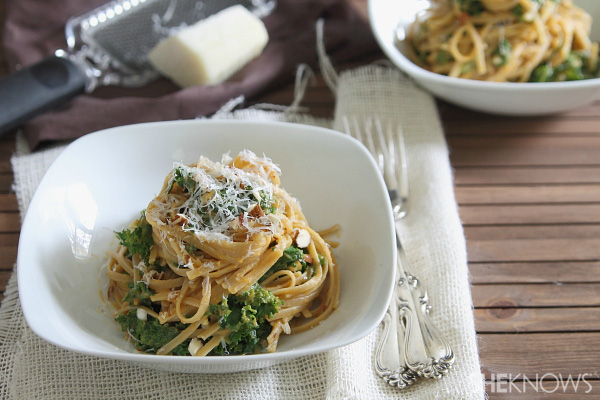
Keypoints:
pixel 150 335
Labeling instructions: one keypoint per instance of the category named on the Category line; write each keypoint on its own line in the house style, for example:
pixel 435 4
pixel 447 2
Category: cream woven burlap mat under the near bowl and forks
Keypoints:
pixel 432 234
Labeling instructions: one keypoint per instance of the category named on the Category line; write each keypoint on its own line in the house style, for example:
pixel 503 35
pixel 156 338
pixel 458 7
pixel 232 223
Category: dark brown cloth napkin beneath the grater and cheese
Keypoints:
pixel 34 29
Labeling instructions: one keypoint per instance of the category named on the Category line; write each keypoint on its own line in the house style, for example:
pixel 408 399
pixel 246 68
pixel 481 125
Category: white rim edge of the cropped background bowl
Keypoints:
pixel 413 69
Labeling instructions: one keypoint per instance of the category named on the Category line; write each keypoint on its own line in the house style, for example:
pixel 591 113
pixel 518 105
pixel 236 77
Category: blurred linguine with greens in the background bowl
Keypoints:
pixel 505 40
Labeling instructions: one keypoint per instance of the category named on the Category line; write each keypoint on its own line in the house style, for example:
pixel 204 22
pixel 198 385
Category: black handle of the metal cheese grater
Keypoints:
pixel 37 89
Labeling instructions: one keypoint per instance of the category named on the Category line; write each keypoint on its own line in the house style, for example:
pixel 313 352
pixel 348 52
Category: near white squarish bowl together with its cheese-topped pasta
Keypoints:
pixel 90 203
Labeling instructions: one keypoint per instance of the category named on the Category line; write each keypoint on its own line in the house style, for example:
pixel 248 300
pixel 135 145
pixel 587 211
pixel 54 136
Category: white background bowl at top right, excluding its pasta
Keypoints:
pixel 392 22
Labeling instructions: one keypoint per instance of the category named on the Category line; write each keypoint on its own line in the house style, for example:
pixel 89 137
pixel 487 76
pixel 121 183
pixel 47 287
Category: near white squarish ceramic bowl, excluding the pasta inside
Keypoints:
pixel 100 182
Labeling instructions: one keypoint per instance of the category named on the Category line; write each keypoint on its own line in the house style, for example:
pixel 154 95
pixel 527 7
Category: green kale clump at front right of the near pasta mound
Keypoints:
pixel 246 316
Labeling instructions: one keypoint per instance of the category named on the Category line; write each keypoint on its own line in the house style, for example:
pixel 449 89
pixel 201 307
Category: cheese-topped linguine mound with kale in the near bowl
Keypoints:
pixel 222 261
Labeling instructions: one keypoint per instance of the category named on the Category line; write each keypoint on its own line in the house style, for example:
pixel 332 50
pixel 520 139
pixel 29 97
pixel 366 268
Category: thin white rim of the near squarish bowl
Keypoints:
pixel 254 359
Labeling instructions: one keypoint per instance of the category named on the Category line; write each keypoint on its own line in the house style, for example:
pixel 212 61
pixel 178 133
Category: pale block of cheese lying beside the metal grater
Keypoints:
pixel 210 51
